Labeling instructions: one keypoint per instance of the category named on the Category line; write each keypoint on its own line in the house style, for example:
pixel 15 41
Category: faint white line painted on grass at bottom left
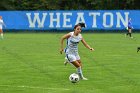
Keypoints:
pixel 33 87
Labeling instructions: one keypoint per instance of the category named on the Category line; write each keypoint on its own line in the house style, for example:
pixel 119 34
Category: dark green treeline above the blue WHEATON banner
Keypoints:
pixel 69 4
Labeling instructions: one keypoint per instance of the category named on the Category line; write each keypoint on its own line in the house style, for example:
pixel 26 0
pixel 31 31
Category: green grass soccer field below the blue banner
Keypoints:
pixel 31 63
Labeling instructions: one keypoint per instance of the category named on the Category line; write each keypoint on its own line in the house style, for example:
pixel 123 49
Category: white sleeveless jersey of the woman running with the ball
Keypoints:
pixel 72 43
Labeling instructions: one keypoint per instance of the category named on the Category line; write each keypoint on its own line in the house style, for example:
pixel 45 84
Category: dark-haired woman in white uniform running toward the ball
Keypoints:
pixel 71 51
